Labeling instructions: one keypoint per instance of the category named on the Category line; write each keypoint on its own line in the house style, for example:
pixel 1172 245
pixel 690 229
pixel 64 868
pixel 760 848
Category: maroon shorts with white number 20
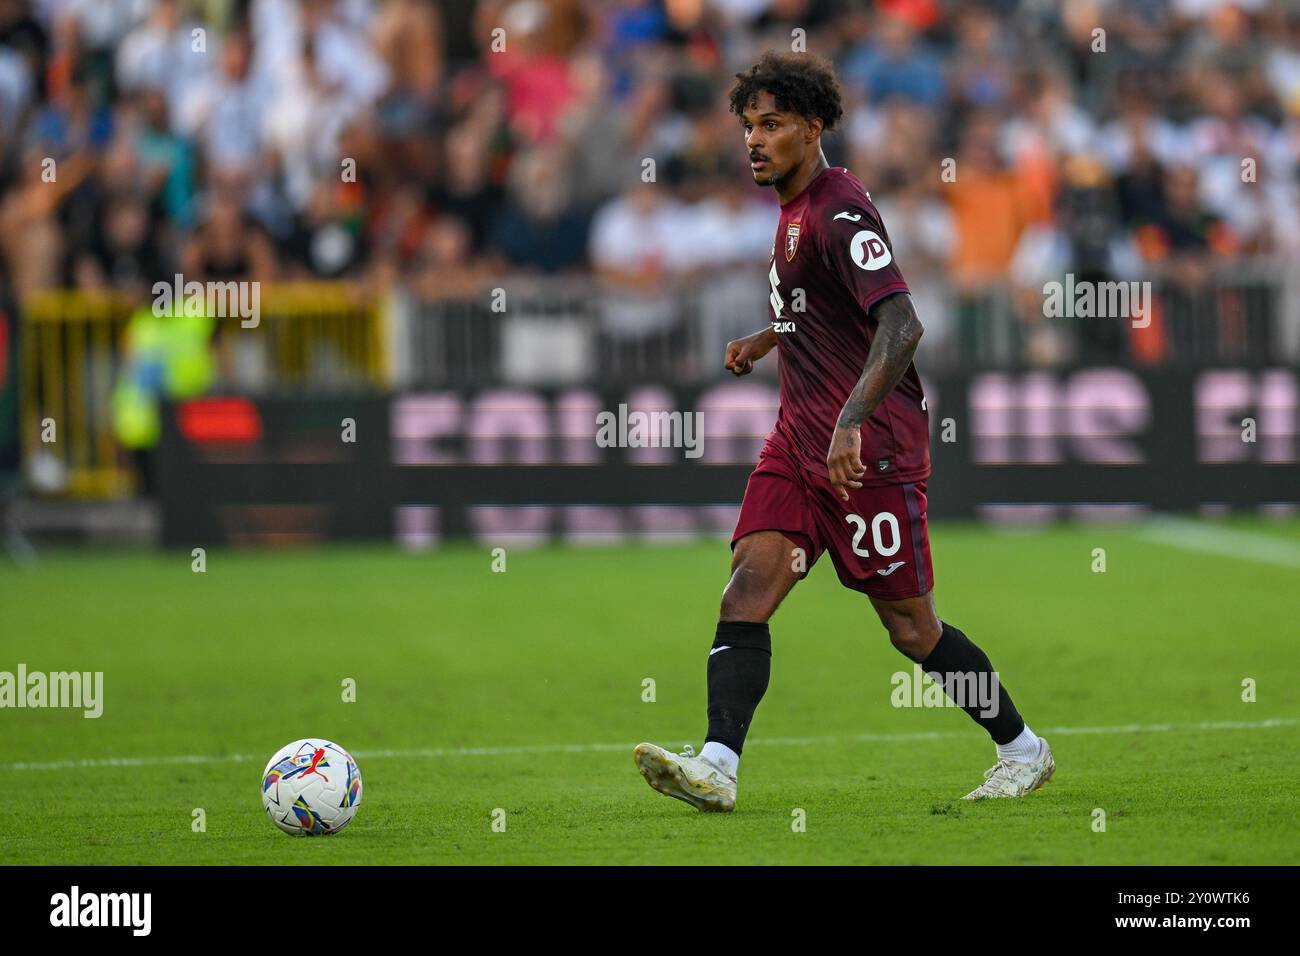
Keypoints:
pixel 878 539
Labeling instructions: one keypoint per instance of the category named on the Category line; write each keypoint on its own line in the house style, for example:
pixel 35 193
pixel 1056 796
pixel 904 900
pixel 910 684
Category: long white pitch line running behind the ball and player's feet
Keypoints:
pixel 435 752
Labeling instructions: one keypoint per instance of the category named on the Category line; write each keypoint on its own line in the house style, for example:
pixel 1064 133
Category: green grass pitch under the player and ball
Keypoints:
pixel 523 691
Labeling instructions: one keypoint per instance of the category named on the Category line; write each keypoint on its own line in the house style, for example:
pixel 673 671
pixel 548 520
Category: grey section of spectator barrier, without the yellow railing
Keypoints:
pixel 553 332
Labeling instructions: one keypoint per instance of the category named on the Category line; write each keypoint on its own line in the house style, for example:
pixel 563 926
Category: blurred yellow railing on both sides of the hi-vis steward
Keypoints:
pixel 313 336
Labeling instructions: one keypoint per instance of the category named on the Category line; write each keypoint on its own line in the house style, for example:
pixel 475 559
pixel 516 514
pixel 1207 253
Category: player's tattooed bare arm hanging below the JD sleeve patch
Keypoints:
pixel 898 336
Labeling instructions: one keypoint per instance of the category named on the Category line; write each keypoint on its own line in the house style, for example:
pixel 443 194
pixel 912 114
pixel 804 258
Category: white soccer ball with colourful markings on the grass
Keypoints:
pixel 311 788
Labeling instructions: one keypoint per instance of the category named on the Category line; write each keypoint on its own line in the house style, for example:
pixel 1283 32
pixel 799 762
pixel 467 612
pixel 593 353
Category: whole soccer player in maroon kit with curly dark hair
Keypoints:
pixel 846 468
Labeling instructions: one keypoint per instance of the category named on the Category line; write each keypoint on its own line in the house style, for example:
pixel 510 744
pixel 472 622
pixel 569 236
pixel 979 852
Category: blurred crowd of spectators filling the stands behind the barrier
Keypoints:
pixel 436 144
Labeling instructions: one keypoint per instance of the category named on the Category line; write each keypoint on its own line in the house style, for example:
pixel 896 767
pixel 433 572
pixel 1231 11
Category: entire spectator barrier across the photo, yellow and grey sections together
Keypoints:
pixel 332 338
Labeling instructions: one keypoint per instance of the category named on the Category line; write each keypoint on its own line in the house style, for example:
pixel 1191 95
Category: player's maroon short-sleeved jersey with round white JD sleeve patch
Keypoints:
pixel 833 261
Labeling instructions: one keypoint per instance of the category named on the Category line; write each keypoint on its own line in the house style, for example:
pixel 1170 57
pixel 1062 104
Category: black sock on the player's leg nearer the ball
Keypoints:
pixel 738 680
